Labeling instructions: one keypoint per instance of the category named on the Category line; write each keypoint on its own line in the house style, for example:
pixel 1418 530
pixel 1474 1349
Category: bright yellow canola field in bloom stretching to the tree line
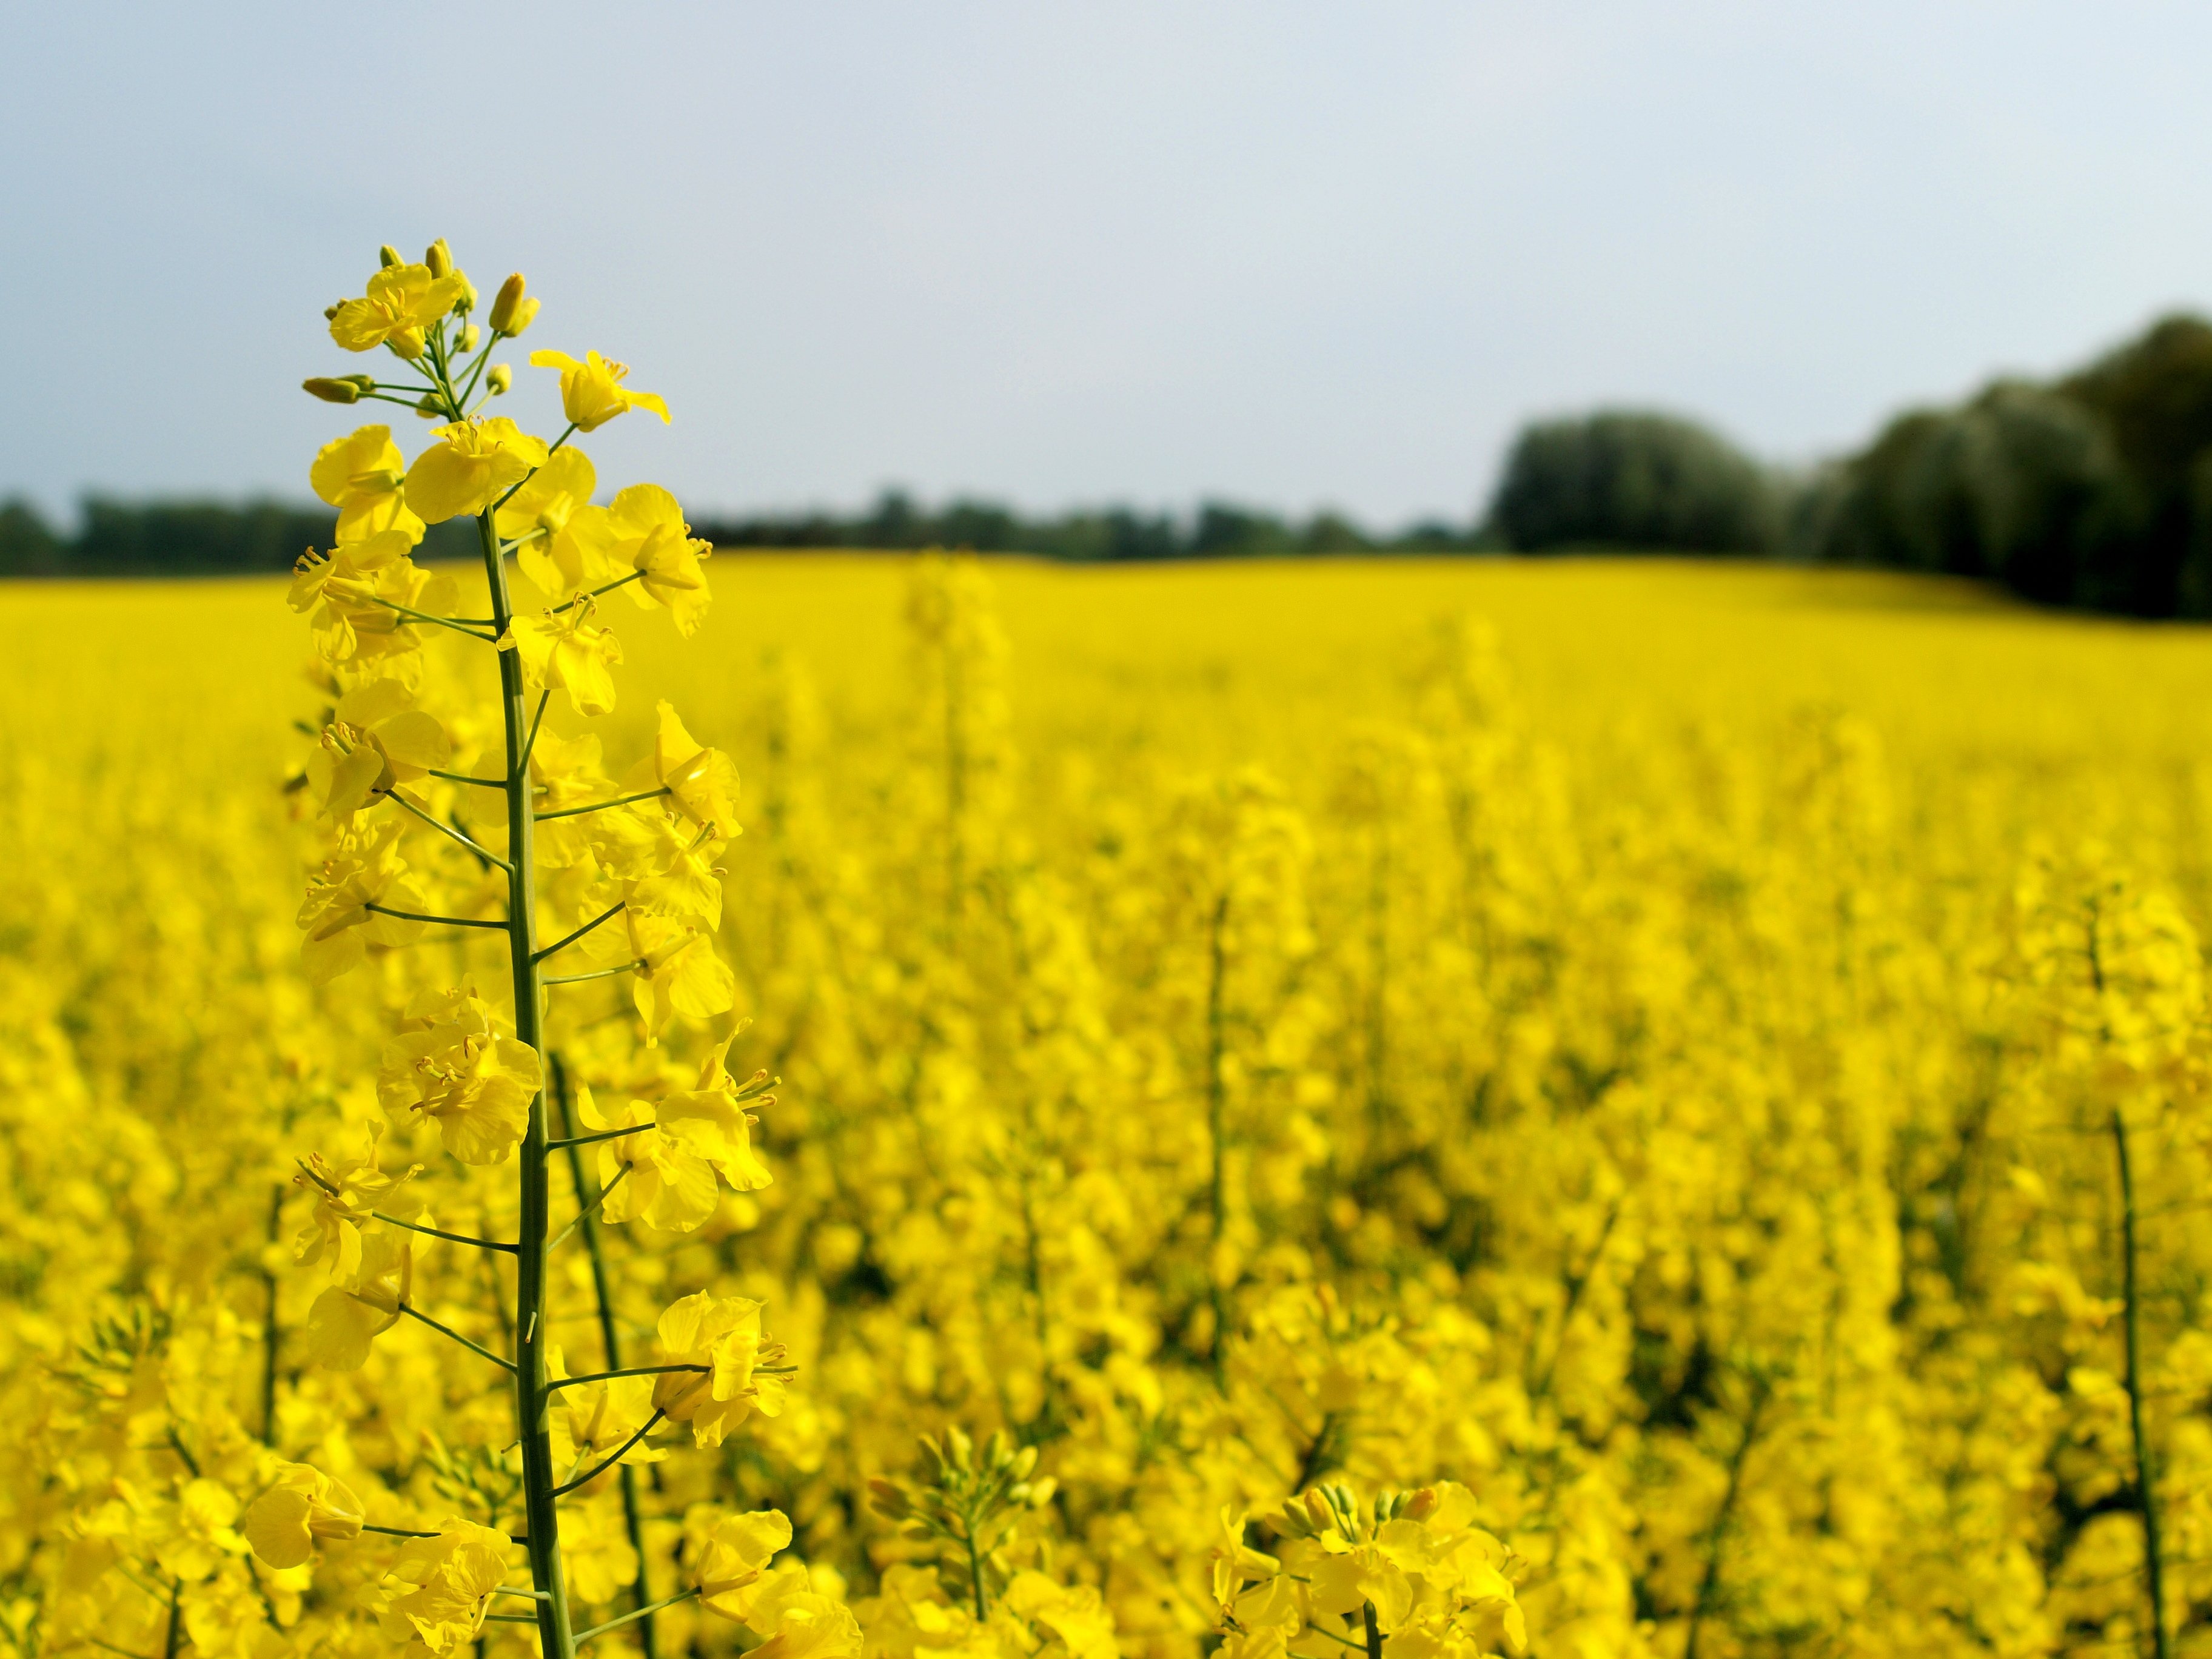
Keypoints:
pixel 1662 1098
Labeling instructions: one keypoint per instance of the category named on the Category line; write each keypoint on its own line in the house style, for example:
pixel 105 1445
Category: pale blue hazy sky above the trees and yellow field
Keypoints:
pixel 1054 253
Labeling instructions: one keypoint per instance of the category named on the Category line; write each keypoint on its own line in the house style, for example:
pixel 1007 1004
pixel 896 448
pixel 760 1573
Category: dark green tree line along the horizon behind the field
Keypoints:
pixel 2091 490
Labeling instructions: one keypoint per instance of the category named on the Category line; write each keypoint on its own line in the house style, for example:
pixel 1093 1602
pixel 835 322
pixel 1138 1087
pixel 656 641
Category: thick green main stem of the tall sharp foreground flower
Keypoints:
pixel 532 1313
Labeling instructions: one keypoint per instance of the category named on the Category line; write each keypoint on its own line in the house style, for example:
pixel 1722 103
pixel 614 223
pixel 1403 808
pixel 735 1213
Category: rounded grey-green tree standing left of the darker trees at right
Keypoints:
pixel 1636 481
